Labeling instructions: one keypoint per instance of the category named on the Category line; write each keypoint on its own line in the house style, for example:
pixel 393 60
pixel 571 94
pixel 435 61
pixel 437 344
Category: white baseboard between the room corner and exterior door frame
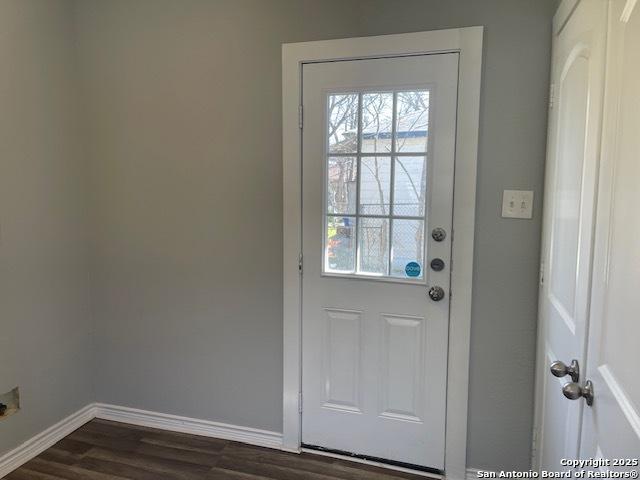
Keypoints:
pixel 174 423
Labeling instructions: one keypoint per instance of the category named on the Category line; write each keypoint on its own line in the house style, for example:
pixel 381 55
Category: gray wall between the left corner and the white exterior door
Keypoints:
pixel 183 98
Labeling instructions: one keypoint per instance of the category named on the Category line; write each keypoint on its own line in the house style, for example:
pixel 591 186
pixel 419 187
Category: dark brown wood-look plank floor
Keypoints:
pixel 102 450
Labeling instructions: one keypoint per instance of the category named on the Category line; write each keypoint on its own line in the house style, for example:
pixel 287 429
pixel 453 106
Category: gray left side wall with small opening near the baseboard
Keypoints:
pixel 45 326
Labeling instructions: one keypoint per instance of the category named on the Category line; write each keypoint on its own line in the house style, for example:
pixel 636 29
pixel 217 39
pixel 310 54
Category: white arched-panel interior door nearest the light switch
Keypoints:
pixel 570 194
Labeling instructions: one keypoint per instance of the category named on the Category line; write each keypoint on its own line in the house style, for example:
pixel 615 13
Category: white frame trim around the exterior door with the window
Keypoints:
pixel 468 43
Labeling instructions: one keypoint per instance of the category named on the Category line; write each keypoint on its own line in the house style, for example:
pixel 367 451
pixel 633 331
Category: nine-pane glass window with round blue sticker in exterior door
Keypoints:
pixel 376 184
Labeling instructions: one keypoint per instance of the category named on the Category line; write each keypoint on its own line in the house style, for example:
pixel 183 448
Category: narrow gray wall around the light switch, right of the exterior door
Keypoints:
pixel 512 151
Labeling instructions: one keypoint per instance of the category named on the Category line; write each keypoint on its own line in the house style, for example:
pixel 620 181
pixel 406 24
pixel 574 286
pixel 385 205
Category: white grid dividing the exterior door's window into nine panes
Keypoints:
pixel 393 154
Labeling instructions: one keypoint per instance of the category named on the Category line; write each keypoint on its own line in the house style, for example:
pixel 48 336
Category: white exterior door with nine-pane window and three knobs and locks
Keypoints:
pixel 378 162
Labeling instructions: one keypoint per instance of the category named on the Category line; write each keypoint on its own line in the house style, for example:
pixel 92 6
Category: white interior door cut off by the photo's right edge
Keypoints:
pixel 612 424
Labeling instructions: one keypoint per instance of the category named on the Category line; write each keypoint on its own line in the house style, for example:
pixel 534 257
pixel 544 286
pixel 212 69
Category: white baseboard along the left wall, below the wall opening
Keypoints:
pixel 38 444
